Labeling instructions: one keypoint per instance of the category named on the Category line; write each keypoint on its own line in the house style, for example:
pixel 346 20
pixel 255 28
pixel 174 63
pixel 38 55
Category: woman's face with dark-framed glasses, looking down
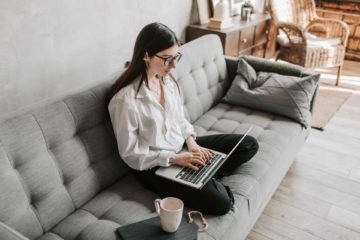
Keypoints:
pixel 163 62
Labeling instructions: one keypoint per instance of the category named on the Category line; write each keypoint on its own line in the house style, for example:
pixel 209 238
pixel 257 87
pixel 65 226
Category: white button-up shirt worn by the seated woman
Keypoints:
pixel 148 134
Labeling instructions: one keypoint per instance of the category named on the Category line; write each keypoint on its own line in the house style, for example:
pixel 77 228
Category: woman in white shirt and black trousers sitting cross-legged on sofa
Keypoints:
pixel 148 120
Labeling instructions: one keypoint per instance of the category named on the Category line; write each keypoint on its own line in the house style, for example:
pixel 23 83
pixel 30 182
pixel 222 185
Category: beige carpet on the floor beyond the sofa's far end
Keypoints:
pixel 327 103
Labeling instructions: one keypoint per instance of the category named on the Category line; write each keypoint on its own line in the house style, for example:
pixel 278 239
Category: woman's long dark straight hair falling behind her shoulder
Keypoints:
pixel 153 38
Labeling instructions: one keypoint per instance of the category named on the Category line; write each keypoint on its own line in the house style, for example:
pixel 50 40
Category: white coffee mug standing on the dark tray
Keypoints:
pixel 170 210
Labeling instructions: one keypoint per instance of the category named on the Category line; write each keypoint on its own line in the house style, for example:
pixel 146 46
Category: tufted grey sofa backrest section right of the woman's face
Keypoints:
pixel 202 75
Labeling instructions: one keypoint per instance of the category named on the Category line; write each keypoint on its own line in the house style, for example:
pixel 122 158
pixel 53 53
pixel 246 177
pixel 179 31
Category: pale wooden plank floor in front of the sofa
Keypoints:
pixel 320 196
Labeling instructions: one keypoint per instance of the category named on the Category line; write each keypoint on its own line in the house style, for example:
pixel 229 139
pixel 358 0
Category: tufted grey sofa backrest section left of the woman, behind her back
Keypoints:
pixel 54 159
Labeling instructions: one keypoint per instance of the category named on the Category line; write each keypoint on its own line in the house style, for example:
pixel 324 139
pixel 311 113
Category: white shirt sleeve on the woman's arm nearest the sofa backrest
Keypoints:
pixel 134 150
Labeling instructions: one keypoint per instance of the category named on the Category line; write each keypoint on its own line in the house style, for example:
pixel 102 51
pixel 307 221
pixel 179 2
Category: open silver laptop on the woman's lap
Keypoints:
pixel 198 178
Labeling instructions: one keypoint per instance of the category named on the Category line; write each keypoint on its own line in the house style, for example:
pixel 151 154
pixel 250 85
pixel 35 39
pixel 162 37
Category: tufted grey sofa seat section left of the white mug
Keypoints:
pixel 122 203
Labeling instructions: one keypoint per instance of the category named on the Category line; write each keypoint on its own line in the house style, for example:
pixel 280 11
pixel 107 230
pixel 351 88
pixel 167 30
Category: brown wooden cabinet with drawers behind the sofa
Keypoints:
pixel 243 38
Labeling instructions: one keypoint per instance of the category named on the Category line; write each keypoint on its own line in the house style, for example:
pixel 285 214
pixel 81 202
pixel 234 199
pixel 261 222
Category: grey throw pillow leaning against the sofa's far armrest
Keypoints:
pixel 284 95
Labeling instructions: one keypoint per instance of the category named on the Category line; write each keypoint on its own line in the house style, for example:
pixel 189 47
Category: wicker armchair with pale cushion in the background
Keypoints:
pixel 306 39
